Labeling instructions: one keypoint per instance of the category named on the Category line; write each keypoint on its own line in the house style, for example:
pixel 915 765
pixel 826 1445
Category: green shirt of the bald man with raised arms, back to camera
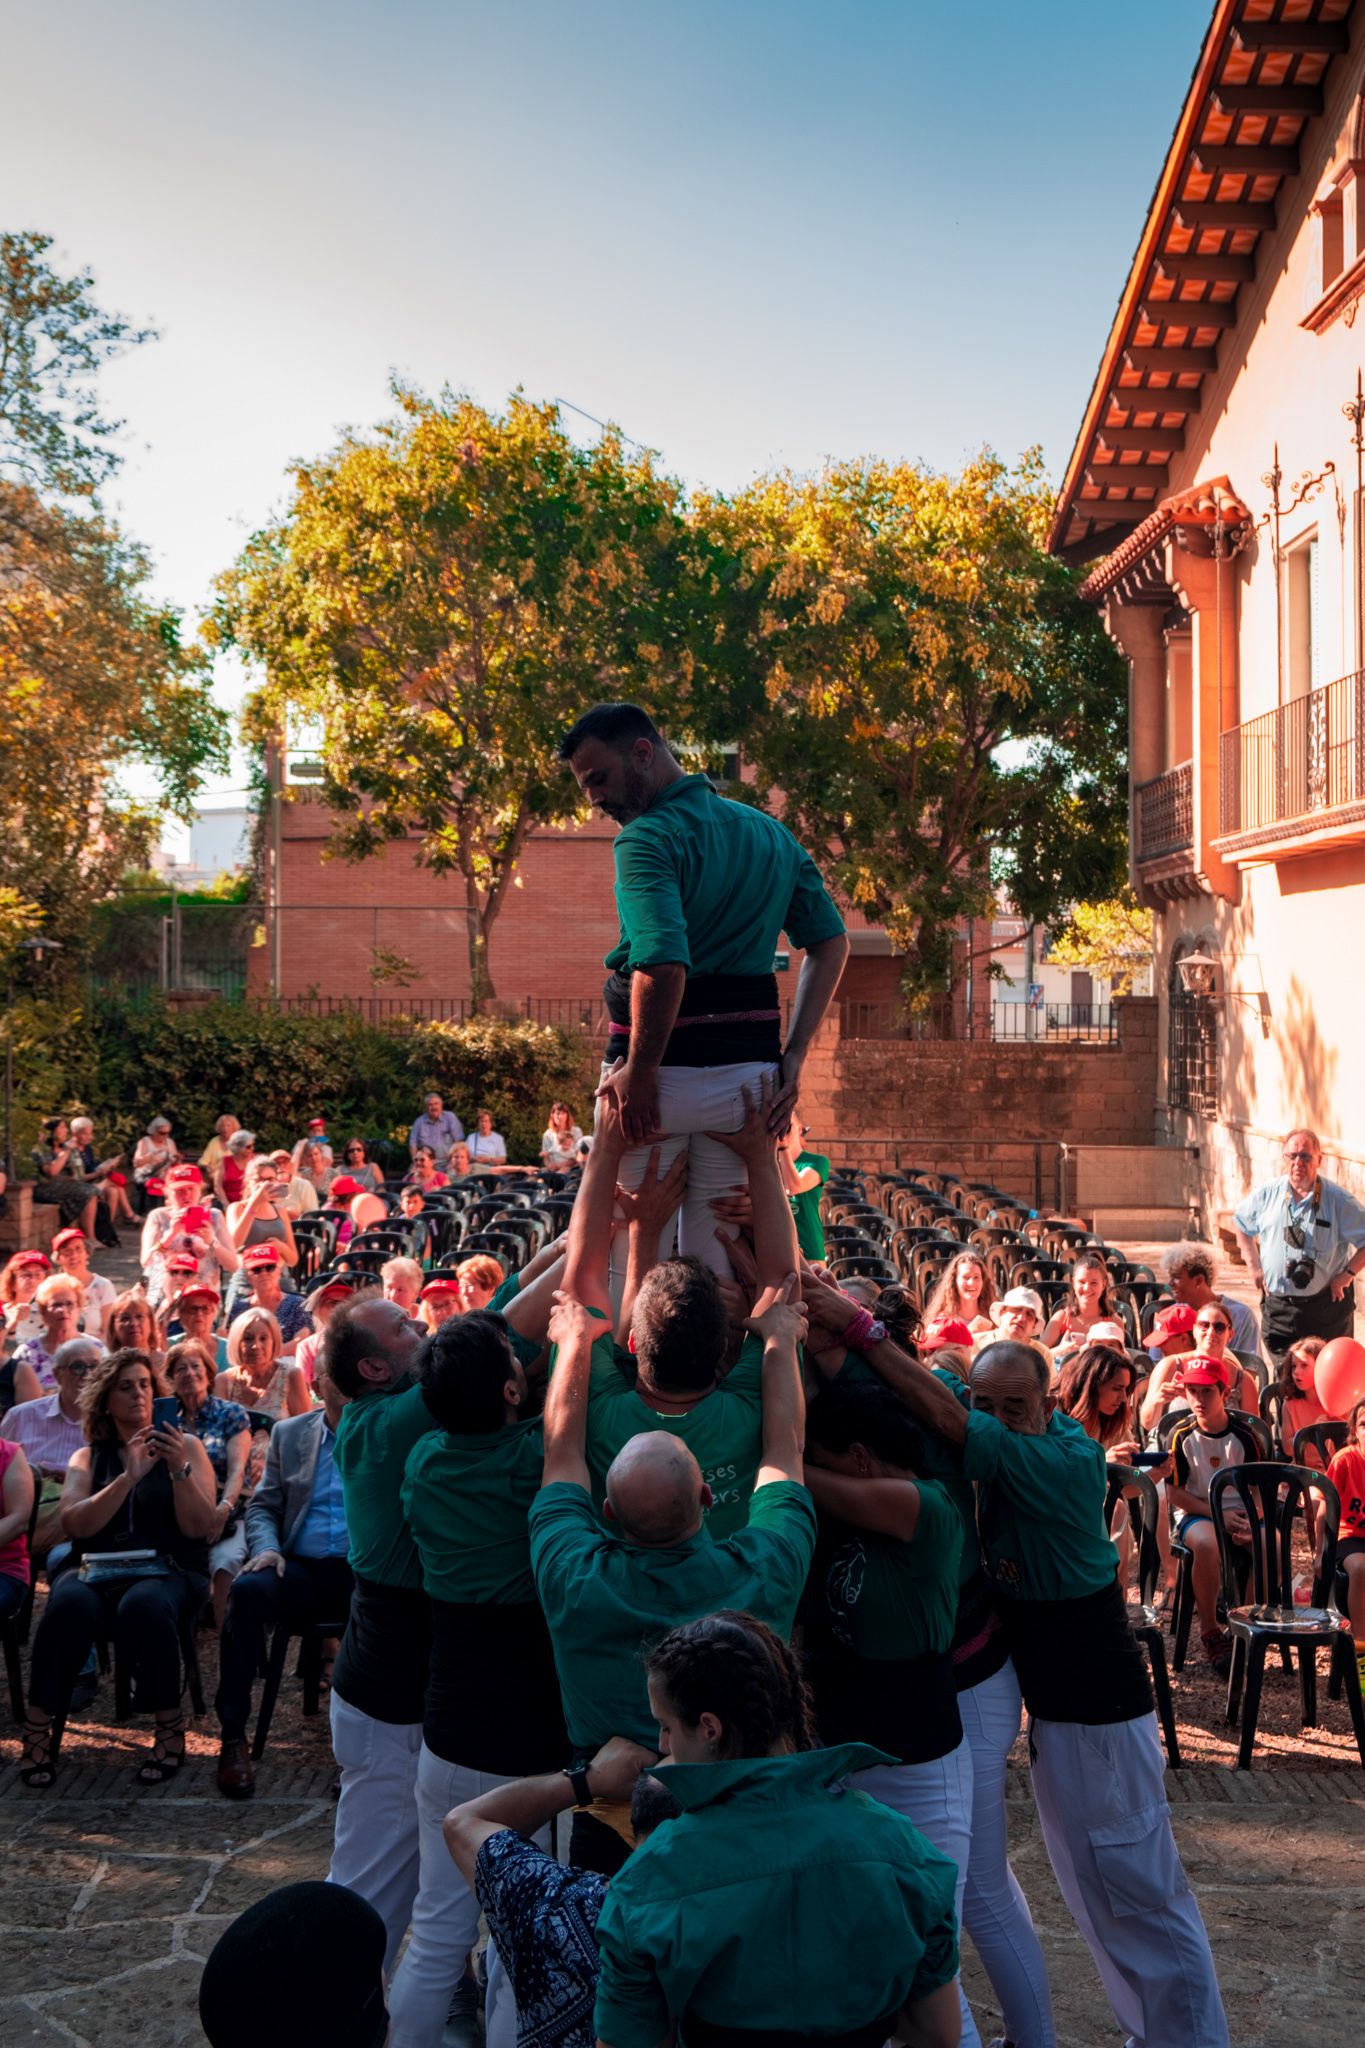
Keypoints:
pixel 607 1601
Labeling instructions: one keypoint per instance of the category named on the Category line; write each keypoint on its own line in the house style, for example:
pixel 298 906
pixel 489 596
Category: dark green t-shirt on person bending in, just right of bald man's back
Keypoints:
pixel 891 1598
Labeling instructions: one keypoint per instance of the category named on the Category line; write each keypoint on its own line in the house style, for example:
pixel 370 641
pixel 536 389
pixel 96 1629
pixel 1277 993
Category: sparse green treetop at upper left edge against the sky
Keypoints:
pixel 54 339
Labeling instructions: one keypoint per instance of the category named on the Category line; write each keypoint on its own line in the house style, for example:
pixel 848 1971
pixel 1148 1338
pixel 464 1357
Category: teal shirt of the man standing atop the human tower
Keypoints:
pixel 678 898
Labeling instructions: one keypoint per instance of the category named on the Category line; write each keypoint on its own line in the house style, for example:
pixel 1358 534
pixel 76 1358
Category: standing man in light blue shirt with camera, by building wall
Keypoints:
pixel 1305 1244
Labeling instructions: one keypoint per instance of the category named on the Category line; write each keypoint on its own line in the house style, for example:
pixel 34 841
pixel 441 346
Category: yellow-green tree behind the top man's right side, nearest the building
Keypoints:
pixel 928 695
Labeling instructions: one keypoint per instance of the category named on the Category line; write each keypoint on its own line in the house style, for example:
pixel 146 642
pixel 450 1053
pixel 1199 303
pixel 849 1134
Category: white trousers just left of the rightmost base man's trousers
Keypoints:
pixel 994 1910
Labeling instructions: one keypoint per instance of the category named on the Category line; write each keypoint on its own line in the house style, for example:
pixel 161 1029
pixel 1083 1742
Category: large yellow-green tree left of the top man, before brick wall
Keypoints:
pixel 445 597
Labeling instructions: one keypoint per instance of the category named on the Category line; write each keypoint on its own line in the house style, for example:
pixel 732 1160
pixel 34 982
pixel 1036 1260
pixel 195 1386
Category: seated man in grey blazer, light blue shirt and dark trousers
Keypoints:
pixel 296 1568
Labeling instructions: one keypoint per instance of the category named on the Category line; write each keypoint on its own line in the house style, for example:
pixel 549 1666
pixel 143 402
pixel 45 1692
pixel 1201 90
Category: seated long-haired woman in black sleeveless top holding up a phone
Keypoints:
pixel 138 1486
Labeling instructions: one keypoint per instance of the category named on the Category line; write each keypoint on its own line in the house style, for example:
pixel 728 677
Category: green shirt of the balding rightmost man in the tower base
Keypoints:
pixel 1043 1508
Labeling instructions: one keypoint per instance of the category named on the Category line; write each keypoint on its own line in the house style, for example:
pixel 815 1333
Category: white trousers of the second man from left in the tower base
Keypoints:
pixel 445 1922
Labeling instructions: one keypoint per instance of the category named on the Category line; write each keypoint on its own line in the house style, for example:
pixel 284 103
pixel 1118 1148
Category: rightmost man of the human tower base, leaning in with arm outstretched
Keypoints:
pixel 1094 1746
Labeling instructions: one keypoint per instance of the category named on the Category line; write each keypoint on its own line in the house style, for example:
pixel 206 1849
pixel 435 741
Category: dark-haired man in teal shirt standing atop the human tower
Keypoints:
pixel 705 888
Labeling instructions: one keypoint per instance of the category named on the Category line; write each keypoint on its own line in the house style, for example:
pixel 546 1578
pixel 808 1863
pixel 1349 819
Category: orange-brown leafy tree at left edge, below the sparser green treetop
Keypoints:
pixel 93 677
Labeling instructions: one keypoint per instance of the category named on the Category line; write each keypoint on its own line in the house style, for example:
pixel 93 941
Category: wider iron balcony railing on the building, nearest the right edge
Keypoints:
pixel 1290 763
